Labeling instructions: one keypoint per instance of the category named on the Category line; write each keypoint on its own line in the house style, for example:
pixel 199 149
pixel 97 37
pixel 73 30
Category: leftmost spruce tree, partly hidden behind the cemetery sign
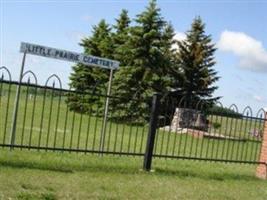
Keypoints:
pixel 85 79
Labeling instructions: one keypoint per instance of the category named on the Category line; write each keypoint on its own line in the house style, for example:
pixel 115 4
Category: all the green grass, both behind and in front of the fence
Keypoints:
pixel 30 175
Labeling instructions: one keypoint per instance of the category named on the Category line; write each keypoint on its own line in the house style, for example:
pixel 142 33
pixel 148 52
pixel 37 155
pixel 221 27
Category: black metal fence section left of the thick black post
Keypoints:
pixel 45 122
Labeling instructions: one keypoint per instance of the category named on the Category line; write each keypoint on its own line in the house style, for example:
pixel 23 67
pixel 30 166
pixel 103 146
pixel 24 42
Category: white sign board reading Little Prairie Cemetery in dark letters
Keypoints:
pixel 68 56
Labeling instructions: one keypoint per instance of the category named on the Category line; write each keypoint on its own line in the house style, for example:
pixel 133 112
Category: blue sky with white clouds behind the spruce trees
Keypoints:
pixel 238 28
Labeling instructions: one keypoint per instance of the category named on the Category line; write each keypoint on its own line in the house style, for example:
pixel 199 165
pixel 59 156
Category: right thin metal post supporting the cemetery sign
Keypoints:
pixel 103 132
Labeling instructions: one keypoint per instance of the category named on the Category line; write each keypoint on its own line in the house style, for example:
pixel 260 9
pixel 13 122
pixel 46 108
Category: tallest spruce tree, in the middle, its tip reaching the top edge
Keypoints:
pixel 148 62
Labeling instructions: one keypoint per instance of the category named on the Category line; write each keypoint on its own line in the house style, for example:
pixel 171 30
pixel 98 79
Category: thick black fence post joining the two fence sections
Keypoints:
pixel 151 133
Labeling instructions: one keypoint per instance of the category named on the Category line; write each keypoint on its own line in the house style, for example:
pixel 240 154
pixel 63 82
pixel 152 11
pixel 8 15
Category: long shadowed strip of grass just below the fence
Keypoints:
pixel 132 167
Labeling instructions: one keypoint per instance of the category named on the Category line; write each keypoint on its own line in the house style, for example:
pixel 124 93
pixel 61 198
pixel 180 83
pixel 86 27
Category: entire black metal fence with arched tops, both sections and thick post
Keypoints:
pixel 175 130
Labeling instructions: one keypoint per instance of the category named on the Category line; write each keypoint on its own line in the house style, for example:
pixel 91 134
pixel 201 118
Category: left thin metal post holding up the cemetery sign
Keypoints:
pixel 16 104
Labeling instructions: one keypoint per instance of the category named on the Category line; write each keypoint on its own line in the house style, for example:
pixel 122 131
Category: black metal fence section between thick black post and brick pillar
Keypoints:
pixel 214 133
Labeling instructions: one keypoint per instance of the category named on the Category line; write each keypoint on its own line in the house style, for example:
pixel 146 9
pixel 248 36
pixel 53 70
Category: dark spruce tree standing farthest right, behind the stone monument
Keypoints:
pixel 196 59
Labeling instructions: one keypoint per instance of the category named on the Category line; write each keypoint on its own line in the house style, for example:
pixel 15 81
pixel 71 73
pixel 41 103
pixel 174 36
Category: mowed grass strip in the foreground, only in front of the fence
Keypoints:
pixel 42 175
